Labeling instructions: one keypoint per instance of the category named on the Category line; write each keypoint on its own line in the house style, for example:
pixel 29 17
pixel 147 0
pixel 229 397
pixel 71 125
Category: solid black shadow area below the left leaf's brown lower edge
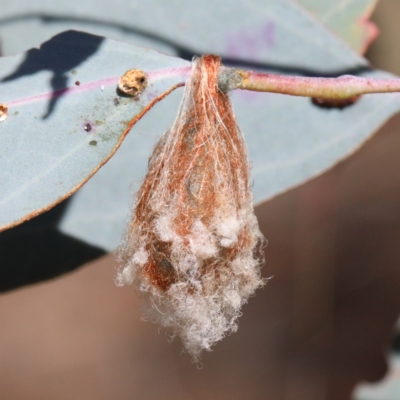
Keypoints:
pixel 36 251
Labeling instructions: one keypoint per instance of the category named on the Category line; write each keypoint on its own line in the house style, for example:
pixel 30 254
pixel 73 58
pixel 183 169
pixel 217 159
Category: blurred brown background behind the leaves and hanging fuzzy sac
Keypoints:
pixel 322 324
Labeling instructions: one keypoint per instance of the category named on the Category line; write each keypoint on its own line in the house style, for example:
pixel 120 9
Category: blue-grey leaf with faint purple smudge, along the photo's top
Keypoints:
pixel 274 33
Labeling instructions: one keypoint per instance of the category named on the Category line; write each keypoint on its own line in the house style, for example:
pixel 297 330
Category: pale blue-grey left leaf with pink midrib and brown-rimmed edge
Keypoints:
pixel 66 117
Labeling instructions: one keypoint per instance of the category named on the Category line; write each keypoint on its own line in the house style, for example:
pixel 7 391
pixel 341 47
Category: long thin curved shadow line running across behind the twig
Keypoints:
pixel 182 51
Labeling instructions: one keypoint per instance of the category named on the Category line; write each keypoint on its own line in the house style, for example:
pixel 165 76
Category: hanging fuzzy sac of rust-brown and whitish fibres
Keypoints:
pixel 193 246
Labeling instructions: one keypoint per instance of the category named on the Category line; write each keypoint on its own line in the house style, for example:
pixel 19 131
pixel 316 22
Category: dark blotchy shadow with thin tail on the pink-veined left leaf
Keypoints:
pixel 60 55
